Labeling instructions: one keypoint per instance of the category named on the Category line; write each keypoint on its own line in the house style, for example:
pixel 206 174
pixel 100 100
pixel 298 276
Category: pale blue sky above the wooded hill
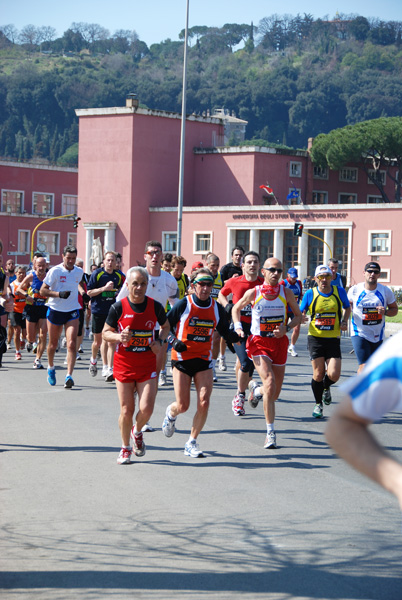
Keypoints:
pixel 158 20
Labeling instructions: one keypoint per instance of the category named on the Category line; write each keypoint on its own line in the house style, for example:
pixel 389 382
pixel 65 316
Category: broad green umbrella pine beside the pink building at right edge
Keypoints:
pixel 375 144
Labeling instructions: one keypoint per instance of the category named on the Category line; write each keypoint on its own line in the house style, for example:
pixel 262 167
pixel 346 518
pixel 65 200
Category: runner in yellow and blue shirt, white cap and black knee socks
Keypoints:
pixel 330 310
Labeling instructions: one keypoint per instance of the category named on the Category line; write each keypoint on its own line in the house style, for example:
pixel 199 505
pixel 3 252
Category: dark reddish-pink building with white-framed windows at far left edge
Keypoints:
pixel 31 193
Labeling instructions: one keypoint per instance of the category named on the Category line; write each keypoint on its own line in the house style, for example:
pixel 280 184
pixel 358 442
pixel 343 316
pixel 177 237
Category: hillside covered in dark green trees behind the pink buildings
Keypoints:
pixel 290 77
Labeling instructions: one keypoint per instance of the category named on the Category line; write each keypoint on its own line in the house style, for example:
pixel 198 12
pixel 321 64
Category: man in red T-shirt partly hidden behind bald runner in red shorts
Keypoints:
pixel 238 286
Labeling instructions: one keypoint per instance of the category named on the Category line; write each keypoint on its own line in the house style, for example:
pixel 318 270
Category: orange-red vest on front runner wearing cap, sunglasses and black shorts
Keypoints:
pixel 196 327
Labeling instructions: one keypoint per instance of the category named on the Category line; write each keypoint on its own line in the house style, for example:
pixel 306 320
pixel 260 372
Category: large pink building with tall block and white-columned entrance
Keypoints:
pixel 128 190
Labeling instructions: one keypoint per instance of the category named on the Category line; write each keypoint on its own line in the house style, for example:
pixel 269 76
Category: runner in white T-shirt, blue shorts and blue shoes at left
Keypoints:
pixel 61 286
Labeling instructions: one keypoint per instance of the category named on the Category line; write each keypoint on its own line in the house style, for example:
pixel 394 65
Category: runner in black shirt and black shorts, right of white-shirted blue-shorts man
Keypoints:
pixel 103 286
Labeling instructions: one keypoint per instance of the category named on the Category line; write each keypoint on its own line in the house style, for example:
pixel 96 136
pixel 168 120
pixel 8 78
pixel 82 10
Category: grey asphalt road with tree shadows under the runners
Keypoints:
pixel 243 522
